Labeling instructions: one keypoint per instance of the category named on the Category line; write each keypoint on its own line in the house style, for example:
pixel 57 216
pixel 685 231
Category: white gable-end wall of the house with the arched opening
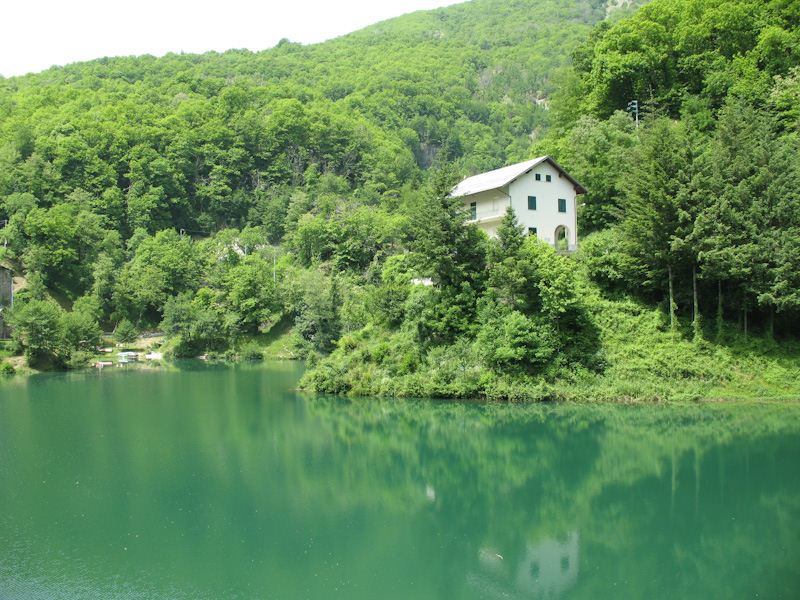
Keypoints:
pixel 546 218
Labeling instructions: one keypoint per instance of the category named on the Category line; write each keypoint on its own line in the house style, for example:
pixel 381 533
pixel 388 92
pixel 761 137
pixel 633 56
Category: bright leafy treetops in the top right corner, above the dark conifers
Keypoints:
pixel 672 50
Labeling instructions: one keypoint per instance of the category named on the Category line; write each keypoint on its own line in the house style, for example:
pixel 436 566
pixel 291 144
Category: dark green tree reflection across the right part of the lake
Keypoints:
pixel 657 496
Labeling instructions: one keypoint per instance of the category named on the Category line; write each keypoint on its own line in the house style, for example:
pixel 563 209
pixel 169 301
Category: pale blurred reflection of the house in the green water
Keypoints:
pixel 546 570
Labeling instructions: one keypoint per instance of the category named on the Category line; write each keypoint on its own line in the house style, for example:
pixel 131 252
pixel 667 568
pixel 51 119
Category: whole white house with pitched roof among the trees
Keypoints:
pixel 542 194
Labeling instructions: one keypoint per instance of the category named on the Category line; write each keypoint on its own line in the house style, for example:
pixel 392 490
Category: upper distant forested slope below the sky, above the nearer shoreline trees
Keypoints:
pixel 204 142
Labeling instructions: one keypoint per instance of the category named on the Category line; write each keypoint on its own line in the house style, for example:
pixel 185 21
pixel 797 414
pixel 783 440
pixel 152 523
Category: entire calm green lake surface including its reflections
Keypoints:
pixel 227 483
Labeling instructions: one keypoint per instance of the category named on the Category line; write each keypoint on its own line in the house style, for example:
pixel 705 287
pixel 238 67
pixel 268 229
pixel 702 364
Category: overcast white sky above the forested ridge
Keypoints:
pixel 37 34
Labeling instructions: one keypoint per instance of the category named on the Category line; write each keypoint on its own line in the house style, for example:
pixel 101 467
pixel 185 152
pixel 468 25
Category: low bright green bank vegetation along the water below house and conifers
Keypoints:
pixel 639 360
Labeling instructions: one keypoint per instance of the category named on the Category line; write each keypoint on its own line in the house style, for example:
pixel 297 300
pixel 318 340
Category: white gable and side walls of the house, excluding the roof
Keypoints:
pixel 545 219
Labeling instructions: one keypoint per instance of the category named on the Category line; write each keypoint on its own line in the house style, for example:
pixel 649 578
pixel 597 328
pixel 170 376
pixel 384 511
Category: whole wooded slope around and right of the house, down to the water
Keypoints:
pixel 694 222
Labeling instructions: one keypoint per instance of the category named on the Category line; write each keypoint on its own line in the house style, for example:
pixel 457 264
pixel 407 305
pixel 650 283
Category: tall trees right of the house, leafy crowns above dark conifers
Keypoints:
pixel 709 186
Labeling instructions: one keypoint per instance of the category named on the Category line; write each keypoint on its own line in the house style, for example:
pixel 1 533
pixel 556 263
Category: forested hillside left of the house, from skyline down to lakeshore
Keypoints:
pixel 123 181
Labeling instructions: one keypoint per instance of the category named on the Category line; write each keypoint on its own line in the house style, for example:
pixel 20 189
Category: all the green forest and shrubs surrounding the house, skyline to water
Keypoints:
pixel 224 197
